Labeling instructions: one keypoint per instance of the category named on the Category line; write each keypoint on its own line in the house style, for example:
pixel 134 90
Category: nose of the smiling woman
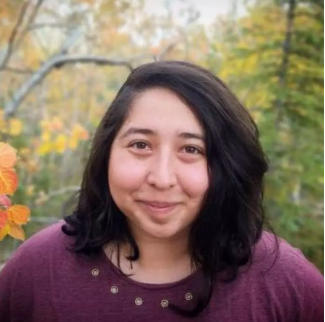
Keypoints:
pixel 161 173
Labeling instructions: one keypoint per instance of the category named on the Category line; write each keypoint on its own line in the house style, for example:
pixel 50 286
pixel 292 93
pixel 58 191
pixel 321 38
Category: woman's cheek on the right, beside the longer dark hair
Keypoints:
pixel 195 181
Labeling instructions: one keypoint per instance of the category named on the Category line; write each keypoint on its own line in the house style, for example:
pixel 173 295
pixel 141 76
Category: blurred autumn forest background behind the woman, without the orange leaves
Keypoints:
pixel 62 62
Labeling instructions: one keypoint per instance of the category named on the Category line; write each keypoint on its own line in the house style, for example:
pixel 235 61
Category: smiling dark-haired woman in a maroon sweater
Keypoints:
pixel 169 221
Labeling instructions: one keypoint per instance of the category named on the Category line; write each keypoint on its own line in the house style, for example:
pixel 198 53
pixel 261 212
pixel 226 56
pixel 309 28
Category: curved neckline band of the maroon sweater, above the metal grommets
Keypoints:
pixel 108 263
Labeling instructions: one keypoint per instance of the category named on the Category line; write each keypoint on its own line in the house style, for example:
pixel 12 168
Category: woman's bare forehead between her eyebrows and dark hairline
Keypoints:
pixel 162 108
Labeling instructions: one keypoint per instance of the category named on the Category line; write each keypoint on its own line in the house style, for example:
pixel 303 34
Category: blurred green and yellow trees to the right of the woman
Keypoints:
pixel 290 118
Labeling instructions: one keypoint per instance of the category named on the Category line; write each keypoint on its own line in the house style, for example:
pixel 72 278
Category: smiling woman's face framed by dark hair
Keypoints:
pixel 157 171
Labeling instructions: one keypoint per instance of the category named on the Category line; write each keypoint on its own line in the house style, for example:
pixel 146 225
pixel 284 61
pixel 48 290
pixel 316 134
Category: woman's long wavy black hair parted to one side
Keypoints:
pixel 231 218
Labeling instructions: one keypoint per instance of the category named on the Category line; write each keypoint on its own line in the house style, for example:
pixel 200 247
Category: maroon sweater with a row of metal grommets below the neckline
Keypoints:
pixel 43 282
